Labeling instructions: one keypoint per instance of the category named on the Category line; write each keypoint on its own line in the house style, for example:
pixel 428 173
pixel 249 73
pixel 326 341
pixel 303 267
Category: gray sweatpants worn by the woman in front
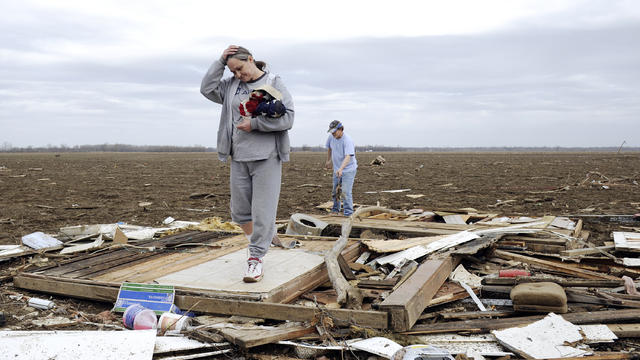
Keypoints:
pixel 255 190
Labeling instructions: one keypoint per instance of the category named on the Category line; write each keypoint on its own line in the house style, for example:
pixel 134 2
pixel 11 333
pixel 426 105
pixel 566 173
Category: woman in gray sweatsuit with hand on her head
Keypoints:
pixel 257 146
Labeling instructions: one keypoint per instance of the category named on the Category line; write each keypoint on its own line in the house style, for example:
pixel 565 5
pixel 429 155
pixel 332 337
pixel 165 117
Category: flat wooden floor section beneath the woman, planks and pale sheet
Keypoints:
pixel 287 276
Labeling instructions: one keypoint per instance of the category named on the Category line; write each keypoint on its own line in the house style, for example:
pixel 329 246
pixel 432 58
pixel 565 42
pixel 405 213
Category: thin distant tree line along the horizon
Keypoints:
pixel 6 147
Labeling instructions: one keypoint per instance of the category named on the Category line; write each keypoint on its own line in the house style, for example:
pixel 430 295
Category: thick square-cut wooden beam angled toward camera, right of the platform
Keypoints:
pixel 409 300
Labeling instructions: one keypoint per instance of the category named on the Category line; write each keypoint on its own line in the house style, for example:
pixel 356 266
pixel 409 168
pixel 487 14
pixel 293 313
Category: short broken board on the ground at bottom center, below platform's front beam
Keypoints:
pixel 248 337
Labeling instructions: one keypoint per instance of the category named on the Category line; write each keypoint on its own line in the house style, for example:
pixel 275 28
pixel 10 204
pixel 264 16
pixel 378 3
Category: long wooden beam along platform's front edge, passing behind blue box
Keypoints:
pixel 108 292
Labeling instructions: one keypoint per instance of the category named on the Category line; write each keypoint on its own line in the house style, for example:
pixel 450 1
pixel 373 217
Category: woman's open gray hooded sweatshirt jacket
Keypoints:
pixel 221 91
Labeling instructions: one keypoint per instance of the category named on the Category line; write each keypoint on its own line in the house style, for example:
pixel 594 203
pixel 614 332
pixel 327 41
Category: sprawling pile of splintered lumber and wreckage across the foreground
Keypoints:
pixel 392 284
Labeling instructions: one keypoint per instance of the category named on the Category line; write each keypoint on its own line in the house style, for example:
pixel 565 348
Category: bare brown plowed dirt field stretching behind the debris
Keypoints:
pixel 46 191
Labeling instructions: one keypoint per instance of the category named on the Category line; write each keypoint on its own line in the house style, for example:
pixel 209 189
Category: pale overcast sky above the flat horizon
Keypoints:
pixel 398 73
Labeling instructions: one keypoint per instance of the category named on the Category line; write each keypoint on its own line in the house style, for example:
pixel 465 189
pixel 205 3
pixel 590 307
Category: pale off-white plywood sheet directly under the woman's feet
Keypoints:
pixel 225 273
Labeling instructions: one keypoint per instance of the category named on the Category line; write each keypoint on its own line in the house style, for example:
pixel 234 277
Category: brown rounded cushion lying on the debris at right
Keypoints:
pixel 542 293
